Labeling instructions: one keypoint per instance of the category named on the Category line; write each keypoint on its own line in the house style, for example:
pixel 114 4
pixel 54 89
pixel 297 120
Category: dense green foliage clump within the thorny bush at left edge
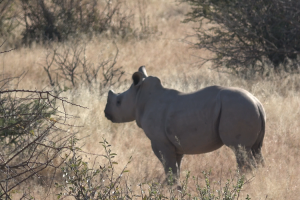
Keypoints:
pixel 21 118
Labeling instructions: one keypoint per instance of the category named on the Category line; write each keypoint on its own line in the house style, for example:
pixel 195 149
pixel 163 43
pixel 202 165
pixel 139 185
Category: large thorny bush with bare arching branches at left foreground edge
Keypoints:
pixel 32 138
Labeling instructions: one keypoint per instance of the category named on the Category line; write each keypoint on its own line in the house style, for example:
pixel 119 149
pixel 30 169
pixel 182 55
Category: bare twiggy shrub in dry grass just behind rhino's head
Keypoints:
pixel 68 67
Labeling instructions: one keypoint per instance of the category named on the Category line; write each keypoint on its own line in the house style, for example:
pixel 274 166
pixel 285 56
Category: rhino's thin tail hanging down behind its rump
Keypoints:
pixel 256 148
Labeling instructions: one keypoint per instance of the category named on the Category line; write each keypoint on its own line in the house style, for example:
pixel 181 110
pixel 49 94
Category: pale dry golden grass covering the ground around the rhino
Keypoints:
pixel 165 56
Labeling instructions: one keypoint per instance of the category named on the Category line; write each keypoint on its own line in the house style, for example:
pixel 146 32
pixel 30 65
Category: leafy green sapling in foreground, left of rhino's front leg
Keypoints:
pixel 84 180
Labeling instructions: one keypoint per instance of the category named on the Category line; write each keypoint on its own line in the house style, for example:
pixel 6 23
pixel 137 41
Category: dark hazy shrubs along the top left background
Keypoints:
pixel 61 19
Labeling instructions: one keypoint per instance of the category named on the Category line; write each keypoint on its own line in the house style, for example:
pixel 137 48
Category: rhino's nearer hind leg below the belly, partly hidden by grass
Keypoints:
pixel 244 158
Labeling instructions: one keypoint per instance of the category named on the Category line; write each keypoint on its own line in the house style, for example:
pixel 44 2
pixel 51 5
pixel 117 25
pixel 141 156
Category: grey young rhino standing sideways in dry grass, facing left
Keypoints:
pixel 194 123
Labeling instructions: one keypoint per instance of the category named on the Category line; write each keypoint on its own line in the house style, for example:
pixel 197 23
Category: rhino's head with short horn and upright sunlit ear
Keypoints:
pixel 121 107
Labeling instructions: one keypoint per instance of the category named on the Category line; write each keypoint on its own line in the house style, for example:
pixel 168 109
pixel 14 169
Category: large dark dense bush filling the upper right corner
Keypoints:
pixel 248 36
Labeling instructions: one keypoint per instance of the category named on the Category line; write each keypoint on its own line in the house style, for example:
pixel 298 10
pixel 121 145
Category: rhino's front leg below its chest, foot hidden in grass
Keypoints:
pixel 166 153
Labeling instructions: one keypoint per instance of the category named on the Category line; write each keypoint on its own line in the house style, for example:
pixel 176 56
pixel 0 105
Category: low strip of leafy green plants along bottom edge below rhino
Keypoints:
pixel 231 190
